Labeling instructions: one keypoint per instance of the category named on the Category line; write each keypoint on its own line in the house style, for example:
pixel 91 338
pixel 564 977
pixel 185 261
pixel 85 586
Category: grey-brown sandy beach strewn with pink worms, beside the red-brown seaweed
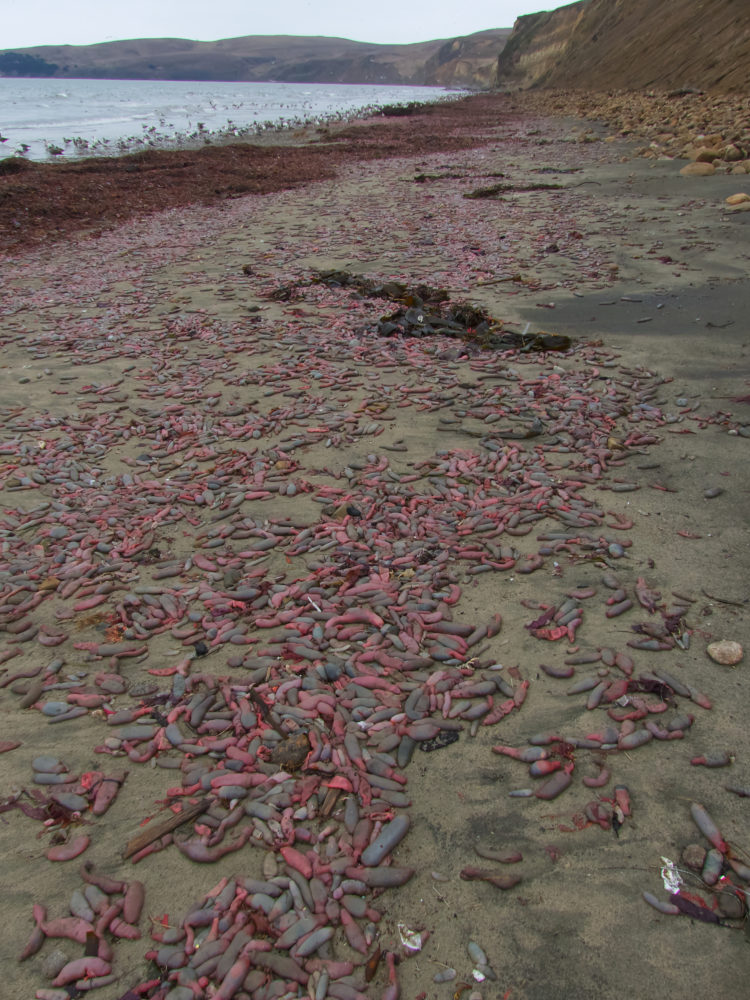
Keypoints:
pixel 245 513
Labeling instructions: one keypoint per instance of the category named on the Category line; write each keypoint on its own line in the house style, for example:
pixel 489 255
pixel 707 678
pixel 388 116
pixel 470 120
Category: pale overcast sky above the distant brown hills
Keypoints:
pixel 81 22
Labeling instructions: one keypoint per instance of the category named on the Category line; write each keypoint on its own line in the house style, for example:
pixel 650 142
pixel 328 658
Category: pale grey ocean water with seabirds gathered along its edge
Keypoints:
pixel 108 117
